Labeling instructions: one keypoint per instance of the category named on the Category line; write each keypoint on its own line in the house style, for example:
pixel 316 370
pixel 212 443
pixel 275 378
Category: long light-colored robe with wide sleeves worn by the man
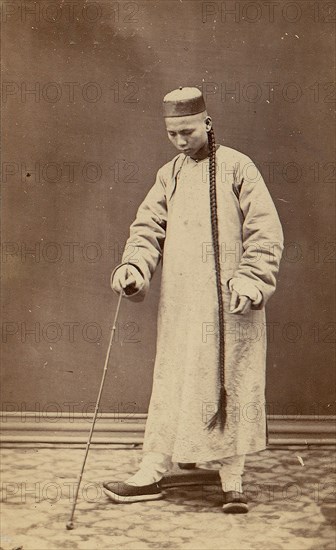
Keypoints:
pixel 173 224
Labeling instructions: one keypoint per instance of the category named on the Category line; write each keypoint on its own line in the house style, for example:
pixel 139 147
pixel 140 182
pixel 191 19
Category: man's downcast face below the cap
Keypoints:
pixel 188 134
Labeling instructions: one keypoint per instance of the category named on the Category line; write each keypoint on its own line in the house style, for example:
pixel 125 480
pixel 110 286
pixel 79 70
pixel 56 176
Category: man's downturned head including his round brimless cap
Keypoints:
pixel 187 121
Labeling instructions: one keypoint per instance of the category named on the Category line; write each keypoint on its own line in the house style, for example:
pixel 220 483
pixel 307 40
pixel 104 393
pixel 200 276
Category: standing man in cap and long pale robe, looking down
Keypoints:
pixel 211 219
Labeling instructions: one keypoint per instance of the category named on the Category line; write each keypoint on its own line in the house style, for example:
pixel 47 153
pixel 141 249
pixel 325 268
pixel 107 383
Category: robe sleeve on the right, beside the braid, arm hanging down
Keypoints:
pixel 262 237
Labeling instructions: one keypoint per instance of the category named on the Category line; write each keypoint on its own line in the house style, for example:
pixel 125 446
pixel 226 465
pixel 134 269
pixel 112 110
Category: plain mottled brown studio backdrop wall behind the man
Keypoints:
pixel 83 137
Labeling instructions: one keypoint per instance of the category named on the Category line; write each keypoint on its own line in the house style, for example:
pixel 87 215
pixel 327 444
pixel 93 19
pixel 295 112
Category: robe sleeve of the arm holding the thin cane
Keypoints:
pixel 144 247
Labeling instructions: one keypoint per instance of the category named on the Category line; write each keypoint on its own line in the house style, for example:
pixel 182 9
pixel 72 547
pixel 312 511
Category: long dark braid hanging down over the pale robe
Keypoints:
pixel 220 415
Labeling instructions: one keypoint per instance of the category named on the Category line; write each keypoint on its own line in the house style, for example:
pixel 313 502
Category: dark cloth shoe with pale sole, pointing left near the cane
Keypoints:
pixel 119 491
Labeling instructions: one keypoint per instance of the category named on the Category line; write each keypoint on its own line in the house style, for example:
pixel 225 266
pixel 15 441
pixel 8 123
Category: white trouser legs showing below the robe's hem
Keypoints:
pixel 154 465
